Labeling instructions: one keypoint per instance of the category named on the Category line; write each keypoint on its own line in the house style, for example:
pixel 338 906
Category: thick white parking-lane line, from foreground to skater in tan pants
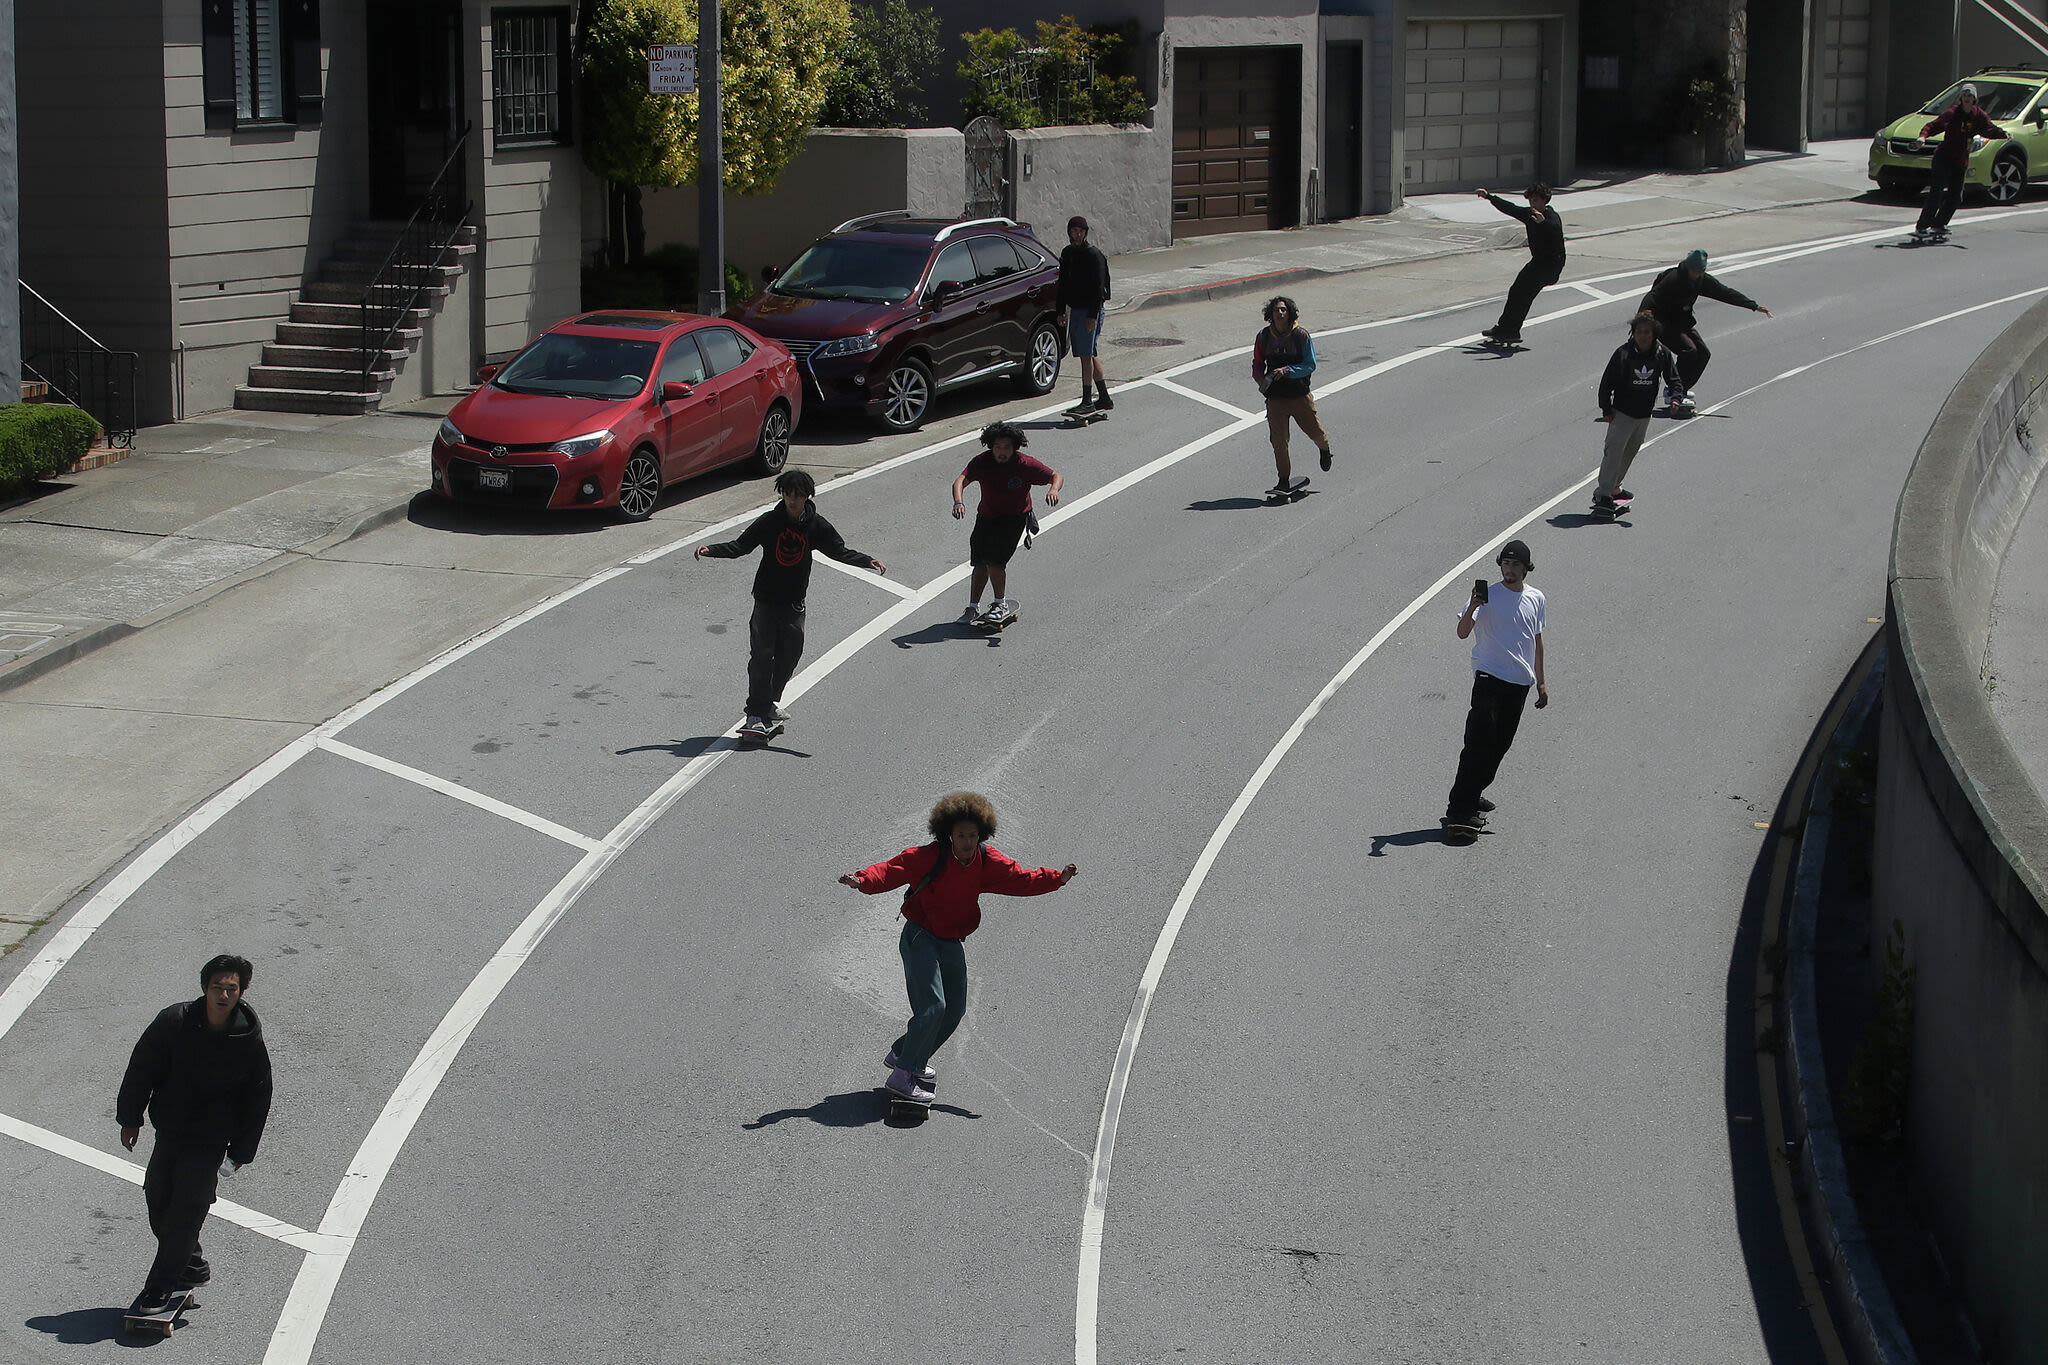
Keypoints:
pixel 312 1290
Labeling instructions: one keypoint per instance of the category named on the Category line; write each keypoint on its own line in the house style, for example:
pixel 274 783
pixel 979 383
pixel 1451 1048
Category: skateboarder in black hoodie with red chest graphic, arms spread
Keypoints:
pixel 785 535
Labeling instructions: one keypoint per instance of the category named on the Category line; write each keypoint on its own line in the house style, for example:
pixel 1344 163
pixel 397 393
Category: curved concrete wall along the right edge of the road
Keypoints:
pixel 1963 840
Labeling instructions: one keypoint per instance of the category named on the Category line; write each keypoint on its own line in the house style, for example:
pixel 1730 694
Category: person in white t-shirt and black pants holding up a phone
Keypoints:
pixel 1506 662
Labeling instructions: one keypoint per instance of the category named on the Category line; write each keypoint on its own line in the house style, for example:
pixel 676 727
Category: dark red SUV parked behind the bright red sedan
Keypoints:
pixel 892 310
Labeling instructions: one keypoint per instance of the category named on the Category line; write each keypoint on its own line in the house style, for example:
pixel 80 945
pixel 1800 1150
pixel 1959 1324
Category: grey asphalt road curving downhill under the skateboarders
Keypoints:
pixel 593 1071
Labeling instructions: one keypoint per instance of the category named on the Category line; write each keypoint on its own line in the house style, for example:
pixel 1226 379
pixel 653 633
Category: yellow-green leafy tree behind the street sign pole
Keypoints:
pixel 777 60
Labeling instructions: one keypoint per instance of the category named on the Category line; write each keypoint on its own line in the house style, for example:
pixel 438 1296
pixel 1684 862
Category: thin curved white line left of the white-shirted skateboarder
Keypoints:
pixel 1089 1276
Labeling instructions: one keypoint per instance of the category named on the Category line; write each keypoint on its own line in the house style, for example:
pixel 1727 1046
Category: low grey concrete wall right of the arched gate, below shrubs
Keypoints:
pixel 1121 179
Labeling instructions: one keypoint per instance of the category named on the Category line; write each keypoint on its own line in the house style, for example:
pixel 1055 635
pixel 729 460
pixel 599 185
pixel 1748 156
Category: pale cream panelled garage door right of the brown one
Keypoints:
pixel 1471 105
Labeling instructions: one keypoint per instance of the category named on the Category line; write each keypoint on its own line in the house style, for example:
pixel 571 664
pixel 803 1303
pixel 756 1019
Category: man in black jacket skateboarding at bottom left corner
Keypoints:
pixel 202 1073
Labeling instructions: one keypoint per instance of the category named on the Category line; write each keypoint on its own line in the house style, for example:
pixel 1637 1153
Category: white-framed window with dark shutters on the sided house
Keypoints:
pixel 261 62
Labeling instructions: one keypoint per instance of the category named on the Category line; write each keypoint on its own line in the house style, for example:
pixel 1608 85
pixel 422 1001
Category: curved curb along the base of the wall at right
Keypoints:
pixel 1863 1303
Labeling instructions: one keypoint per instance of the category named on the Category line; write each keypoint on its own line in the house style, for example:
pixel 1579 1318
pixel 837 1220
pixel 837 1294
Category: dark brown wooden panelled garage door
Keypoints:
pixel 1236 114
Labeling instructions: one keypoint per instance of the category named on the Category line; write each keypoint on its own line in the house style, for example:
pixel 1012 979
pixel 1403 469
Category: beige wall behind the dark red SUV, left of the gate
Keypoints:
pixel 841 175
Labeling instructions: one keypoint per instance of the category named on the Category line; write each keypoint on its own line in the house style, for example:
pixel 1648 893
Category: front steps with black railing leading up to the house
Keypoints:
pixel 316 363
